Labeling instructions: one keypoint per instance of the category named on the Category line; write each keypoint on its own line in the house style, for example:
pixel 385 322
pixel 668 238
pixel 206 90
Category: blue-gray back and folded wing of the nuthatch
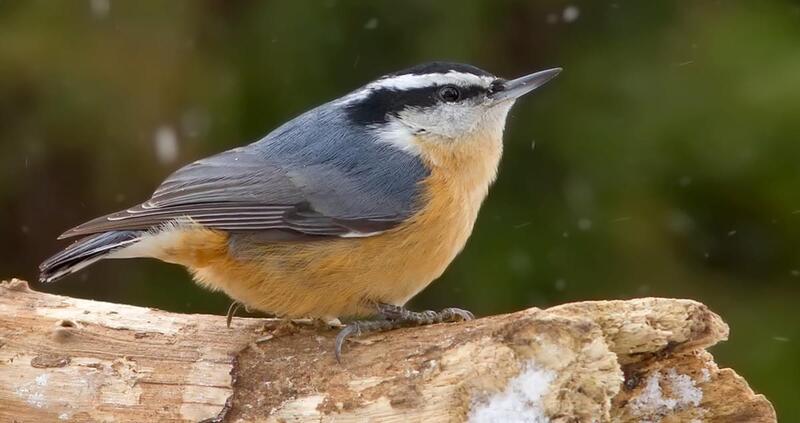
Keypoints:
pixel 308 177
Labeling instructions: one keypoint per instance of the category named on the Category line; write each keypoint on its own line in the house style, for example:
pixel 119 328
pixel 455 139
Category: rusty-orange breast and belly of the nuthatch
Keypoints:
pixel 343 276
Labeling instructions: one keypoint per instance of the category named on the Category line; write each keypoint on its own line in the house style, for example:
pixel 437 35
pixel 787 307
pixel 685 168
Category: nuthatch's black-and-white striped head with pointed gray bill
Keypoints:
pixel 447 102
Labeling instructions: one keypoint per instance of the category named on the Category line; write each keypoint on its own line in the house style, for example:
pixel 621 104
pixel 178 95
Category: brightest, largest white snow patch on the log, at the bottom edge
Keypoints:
pixel 519 402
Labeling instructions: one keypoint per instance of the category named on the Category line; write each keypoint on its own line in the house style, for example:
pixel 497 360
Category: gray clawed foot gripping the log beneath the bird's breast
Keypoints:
pixel 395 317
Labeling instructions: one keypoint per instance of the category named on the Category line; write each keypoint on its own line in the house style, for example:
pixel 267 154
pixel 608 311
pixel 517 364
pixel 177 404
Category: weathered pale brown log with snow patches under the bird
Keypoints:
pixel 68 359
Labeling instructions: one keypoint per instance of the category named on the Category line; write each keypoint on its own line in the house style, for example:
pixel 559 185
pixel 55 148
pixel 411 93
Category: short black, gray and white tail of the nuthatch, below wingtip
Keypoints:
pixel 85 252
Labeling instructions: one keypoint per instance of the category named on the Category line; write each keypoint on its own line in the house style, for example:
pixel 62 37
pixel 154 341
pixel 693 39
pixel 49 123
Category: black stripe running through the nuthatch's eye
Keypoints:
pixel 382 103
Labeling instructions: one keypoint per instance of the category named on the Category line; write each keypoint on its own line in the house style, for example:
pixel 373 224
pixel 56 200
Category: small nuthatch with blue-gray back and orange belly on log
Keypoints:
pixel 346 211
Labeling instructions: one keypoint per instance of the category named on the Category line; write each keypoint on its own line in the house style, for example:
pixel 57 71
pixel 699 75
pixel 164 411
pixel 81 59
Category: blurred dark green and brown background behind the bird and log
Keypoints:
pixel 664 160
